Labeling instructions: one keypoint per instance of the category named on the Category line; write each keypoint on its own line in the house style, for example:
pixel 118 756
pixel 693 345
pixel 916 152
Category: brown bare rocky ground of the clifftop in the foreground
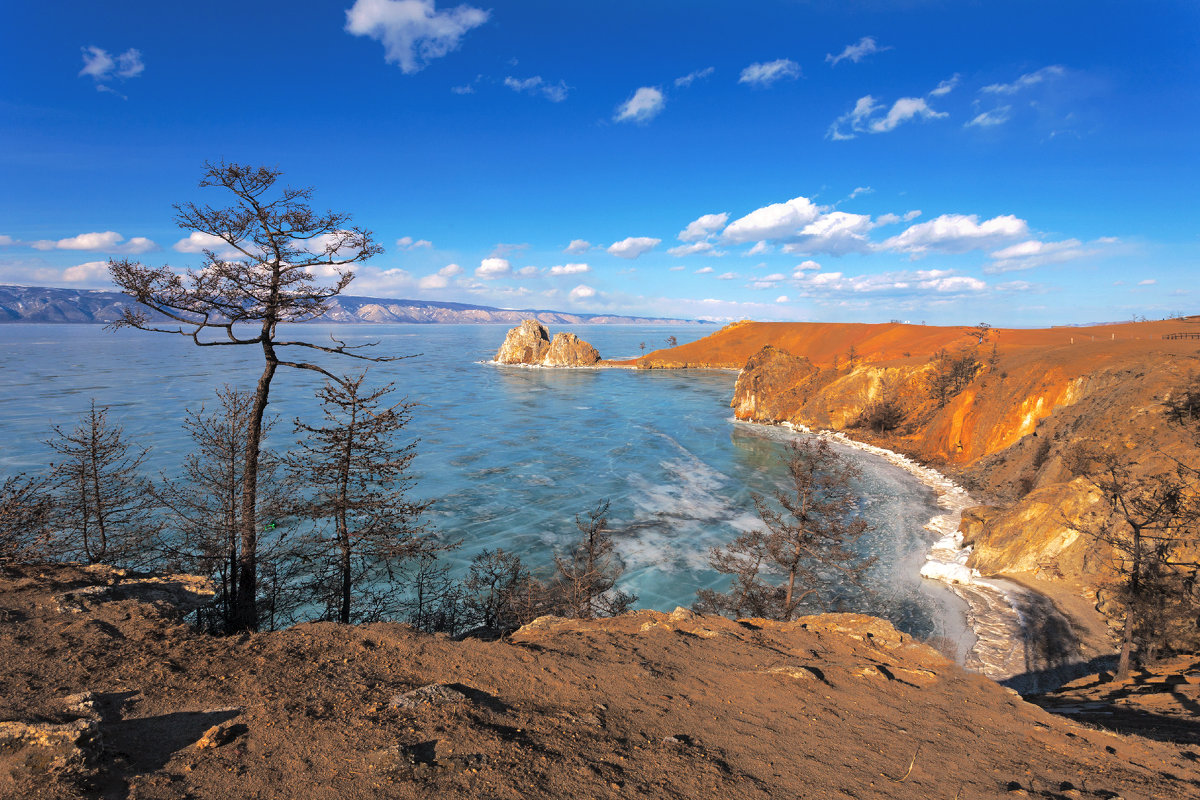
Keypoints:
pixel 105 693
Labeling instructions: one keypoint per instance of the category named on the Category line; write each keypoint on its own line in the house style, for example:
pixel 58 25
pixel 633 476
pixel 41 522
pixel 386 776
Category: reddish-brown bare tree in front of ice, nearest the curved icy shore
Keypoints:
pixel 787 567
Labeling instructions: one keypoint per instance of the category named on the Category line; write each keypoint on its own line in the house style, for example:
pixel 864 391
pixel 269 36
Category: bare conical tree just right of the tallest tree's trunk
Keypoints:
pixel 358 482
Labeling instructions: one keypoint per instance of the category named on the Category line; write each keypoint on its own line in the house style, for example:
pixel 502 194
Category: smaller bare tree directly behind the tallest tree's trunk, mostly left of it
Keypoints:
pixel 205 504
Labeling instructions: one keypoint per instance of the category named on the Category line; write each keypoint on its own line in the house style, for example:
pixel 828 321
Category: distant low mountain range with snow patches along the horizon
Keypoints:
pixel 49 305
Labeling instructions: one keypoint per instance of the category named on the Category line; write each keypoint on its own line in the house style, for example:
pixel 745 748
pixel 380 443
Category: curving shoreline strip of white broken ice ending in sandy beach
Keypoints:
pixel 1022 636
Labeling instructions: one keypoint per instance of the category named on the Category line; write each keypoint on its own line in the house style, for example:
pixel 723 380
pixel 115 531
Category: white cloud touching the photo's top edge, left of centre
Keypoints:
pixel 413 33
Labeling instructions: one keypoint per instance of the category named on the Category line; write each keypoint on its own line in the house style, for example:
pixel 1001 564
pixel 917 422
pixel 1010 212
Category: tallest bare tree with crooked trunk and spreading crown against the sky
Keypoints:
pixel 257 274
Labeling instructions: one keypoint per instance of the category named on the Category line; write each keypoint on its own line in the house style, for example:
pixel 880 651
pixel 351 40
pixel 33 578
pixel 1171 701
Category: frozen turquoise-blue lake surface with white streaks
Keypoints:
pixel 511 455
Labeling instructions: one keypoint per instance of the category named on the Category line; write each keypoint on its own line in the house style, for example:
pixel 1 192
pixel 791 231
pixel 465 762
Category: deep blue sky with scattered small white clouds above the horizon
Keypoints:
pixel 1017 163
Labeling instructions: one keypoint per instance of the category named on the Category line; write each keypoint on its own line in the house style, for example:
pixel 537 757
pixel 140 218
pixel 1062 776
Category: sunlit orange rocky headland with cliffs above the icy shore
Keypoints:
pixel 1007 435
